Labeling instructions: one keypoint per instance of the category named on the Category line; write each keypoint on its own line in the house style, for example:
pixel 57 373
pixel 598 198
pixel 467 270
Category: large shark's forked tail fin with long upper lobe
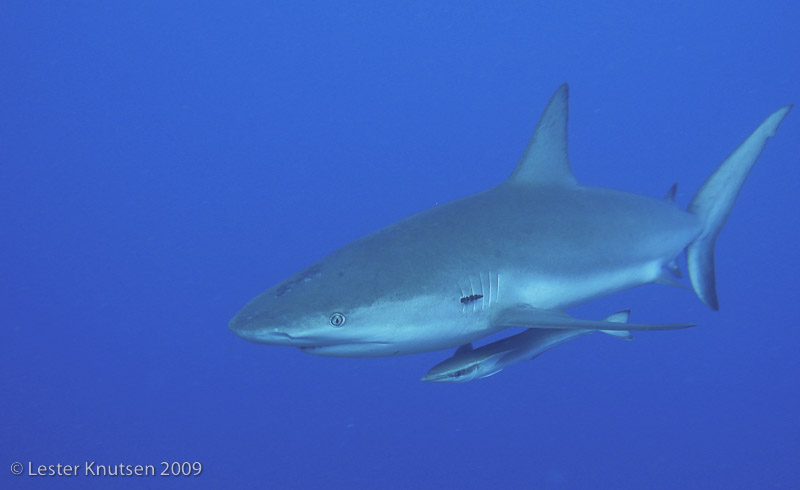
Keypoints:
pixel 713 203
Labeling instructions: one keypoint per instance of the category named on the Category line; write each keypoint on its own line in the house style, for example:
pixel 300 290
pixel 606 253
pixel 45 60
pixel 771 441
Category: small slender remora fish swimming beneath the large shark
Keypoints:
pixel 468 363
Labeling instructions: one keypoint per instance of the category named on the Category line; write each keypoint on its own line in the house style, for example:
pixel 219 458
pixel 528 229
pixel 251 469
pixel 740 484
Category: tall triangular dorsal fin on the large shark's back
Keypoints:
pixel 545 161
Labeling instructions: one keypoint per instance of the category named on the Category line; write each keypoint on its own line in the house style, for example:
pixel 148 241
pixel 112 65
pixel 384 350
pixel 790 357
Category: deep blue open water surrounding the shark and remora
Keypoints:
pixel 163 163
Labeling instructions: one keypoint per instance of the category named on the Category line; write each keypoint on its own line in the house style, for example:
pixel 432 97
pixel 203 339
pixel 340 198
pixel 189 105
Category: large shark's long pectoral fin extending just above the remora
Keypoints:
pixel 530 317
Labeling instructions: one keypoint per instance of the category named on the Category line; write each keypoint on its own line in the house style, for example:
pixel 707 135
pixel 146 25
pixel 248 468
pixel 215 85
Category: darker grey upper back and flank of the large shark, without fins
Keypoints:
pixel 543 231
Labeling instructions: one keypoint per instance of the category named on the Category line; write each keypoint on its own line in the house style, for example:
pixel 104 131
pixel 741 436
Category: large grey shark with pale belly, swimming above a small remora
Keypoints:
pixel 517 254
